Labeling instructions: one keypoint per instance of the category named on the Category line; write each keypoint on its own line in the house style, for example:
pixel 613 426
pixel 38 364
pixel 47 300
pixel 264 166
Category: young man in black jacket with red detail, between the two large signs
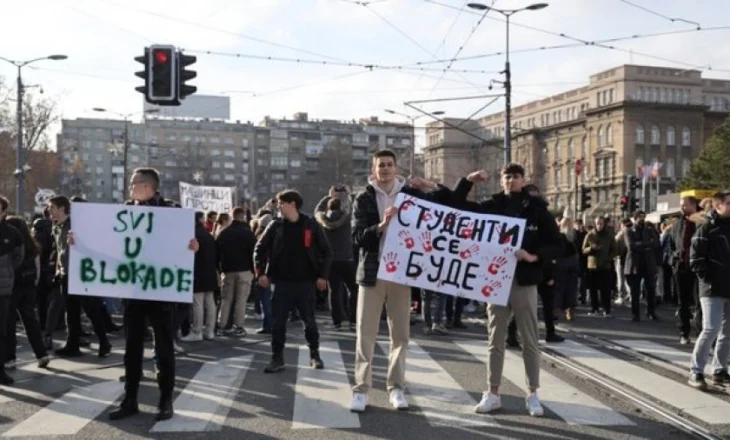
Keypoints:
pixel 293 254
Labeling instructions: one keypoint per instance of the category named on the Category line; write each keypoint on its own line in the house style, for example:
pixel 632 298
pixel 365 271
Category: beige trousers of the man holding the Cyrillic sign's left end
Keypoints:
pixel 397 300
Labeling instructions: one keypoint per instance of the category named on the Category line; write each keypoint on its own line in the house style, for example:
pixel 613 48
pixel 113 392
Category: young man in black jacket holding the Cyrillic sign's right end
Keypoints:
pixel 541 244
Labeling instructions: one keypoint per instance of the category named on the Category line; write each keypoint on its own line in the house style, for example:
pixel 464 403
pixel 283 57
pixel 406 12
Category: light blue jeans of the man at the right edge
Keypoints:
pixel 715 320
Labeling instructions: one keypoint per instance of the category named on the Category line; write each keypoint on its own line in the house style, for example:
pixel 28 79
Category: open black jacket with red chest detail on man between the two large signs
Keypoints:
pixel 271 245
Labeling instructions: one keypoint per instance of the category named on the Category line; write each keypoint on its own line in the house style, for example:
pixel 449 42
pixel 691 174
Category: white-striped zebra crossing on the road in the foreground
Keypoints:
pixel 438 395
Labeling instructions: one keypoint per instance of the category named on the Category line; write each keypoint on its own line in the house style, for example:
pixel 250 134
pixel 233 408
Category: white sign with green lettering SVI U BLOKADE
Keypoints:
pixel 136 252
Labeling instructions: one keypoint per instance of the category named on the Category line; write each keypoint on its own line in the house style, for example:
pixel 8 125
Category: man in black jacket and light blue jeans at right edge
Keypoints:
pixel 710 261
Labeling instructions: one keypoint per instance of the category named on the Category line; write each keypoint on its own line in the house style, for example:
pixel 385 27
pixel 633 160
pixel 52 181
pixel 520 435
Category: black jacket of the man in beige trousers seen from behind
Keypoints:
pixel 235 248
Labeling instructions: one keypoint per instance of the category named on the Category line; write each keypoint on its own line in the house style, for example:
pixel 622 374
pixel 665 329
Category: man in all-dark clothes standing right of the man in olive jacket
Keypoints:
pixel 642 242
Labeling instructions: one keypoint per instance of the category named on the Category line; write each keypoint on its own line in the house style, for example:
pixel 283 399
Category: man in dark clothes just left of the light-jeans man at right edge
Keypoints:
pixel 680 243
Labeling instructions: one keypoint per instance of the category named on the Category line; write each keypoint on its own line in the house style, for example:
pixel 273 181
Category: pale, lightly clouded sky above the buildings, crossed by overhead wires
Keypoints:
pixel 102 37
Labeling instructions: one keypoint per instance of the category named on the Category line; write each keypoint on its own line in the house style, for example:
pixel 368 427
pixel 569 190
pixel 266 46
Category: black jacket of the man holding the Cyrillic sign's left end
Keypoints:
pixel 365 235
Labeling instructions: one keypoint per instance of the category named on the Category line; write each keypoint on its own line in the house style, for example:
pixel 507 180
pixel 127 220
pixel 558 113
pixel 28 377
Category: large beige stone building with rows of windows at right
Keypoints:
pixel 624 120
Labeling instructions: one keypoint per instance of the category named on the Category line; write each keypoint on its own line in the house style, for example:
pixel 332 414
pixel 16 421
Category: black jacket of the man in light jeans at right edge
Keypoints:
pixel 710 257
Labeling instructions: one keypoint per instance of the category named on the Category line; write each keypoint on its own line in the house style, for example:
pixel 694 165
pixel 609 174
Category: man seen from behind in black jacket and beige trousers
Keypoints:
pixel 235 261
